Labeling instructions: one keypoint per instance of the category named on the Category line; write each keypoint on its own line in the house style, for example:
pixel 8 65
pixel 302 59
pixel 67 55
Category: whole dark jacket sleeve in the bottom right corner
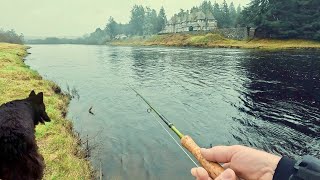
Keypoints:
pixel 306 169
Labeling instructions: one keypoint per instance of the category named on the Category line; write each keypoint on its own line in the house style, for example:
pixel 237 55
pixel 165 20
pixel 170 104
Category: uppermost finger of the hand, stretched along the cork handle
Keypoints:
pixel 222 154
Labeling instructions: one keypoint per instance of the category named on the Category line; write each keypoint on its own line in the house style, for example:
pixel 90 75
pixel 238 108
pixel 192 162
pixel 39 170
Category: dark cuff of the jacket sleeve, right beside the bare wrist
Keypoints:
pixel 284 169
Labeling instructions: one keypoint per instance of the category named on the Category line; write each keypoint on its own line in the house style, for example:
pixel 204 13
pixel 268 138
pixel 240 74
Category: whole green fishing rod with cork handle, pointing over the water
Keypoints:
pixel 214 169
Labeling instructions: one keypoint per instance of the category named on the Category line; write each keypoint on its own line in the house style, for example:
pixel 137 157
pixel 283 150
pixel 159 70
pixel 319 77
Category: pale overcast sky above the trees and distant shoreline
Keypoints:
pixel 78 17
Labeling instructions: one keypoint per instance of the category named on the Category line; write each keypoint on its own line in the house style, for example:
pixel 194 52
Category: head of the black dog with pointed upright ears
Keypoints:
pixel 39 108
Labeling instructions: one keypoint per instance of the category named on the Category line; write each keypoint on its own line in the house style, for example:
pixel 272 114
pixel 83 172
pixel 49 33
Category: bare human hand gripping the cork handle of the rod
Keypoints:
pixel 240 162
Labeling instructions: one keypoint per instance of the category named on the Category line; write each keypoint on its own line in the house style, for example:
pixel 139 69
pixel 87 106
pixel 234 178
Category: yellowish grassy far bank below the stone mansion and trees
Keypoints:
pixel 217 41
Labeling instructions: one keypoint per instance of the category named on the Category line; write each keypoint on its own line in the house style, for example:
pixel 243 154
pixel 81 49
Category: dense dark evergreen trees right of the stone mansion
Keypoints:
pixel 284 18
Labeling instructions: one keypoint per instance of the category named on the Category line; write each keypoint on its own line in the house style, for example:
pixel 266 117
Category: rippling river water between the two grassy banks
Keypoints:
pixel 269 100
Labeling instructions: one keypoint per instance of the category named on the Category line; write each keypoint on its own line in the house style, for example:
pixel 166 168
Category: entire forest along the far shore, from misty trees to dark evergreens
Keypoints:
pixel 276 19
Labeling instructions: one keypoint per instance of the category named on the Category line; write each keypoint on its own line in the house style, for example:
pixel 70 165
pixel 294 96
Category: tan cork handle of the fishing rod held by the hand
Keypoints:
pixel 214 169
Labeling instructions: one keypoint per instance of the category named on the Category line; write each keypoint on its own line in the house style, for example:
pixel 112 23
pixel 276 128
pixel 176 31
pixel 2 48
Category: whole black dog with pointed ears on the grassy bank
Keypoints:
pixel 19 156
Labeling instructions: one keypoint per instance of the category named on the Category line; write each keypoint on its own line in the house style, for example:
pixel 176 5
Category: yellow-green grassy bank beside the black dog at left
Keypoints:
pixel 56 141
